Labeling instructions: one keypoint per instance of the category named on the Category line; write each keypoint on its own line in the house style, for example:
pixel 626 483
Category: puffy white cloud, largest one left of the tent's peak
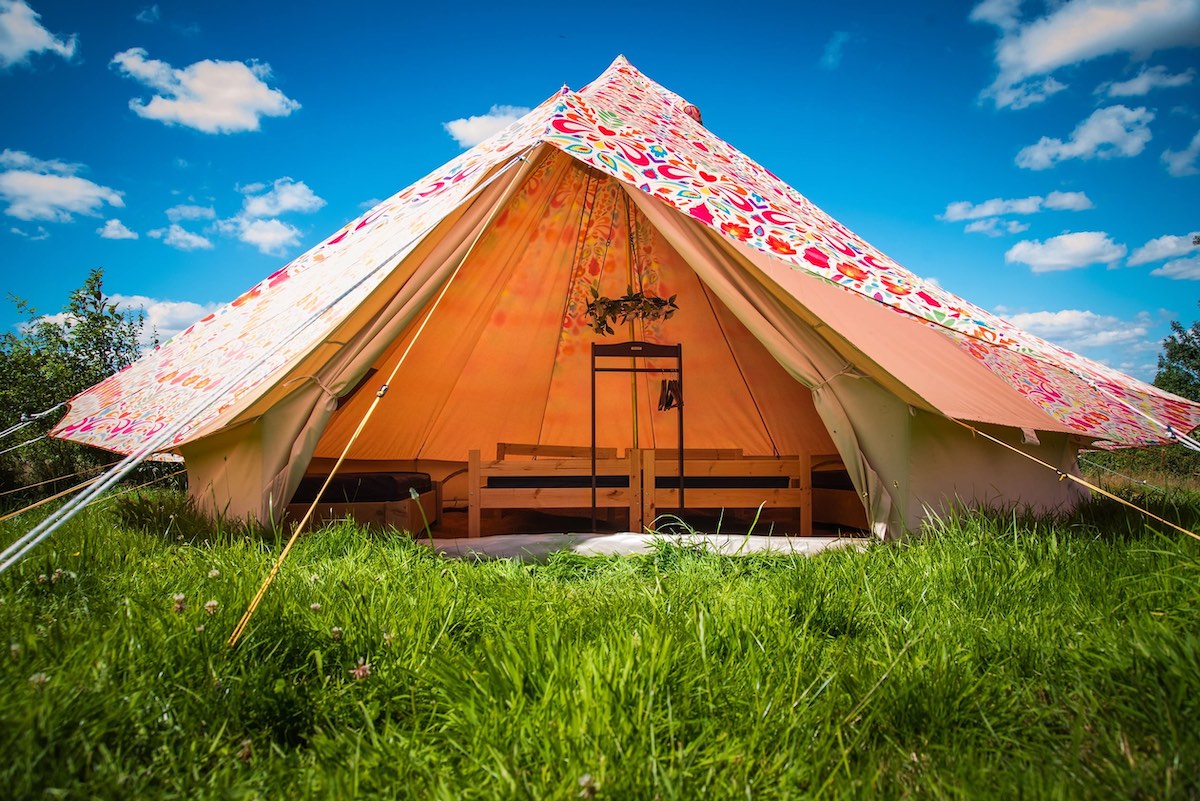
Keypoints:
pixel 209 97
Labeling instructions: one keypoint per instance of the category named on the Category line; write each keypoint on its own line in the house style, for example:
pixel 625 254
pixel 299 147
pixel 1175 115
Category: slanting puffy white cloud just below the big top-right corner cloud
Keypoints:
pixel 1108 133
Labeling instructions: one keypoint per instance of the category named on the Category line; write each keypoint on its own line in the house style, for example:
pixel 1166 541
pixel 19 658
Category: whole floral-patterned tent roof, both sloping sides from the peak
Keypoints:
pixel 643 135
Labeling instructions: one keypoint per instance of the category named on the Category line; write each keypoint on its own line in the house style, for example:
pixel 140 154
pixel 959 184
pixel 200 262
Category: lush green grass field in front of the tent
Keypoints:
pixel 998 658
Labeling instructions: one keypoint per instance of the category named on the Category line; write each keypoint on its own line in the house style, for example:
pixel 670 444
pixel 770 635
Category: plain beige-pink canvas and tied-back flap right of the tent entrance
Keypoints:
pixel 907 457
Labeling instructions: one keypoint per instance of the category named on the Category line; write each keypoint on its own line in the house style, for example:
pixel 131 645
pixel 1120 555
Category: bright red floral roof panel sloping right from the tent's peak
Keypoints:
pixel 641 134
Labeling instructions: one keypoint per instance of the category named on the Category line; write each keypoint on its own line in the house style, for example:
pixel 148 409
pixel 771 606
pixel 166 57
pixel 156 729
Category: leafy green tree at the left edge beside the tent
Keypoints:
pixel 52 359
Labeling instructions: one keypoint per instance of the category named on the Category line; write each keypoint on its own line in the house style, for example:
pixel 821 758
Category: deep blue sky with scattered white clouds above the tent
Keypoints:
pixel 1039 159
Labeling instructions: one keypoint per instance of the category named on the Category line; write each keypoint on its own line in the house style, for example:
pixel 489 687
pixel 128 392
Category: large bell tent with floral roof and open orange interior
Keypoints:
pixel 797 335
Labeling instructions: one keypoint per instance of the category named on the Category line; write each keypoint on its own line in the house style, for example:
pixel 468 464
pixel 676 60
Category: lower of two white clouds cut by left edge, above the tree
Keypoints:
pixel 50 190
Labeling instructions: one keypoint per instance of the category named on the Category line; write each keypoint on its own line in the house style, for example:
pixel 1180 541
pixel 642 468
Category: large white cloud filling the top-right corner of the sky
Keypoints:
pixel 1028 53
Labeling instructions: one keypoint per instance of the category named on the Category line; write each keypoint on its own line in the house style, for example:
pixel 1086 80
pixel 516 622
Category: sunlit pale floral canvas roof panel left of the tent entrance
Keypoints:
pixel 233 356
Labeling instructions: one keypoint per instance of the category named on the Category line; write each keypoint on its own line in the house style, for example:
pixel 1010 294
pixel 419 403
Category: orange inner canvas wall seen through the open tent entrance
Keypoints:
pixel 506 359
